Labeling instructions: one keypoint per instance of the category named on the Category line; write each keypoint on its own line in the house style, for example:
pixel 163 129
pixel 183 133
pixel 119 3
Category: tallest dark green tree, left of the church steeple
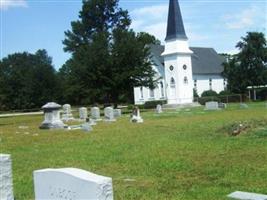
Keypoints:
pixel 108 58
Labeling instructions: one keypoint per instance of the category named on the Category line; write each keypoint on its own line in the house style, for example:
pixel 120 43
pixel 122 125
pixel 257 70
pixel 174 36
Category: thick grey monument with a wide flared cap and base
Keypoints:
pixel 52 117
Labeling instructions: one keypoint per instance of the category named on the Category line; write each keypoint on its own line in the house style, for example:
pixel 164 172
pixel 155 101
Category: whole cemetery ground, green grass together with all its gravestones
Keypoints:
pixel 185 153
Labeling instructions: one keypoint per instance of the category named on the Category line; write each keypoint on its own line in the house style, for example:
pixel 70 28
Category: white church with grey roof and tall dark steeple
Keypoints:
pixel 180 68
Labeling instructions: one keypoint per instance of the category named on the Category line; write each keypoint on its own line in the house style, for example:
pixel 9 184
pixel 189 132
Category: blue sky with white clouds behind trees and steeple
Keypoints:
pixel 29 25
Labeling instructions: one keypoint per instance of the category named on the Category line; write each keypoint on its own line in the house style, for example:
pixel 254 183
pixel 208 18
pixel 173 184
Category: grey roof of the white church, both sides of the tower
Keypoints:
pixel 204 60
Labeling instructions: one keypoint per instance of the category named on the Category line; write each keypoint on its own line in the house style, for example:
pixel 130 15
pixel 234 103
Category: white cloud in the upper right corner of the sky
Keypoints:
pixel 245 19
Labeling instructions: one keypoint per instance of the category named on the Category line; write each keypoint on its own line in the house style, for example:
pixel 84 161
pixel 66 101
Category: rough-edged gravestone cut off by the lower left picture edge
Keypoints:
pixel 6 184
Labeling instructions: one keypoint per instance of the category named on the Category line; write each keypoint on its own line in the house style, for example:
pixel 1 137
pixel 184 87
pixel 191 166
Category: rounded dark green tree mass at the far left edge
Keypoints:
pixel 27 80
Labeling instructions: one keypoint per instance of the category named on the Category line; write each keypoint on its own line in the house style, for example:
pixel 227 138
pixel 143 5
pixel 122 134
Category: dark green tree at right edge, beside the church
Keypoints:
pixel 249 66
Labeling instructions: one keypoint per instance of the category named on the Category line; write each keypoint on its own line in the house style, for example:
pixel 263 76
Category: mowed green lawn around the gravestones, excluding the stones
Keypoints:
pixel 175 155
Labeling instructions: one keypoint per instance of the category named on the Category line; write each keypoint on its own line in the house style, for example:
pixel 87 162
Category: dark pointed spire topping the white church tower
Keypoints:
pixel 175 28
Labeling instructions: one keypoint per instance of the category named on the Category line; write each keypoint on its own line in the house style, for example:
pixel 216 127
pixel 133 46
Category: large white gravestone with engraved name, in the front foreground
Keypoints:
pixel 71 183
